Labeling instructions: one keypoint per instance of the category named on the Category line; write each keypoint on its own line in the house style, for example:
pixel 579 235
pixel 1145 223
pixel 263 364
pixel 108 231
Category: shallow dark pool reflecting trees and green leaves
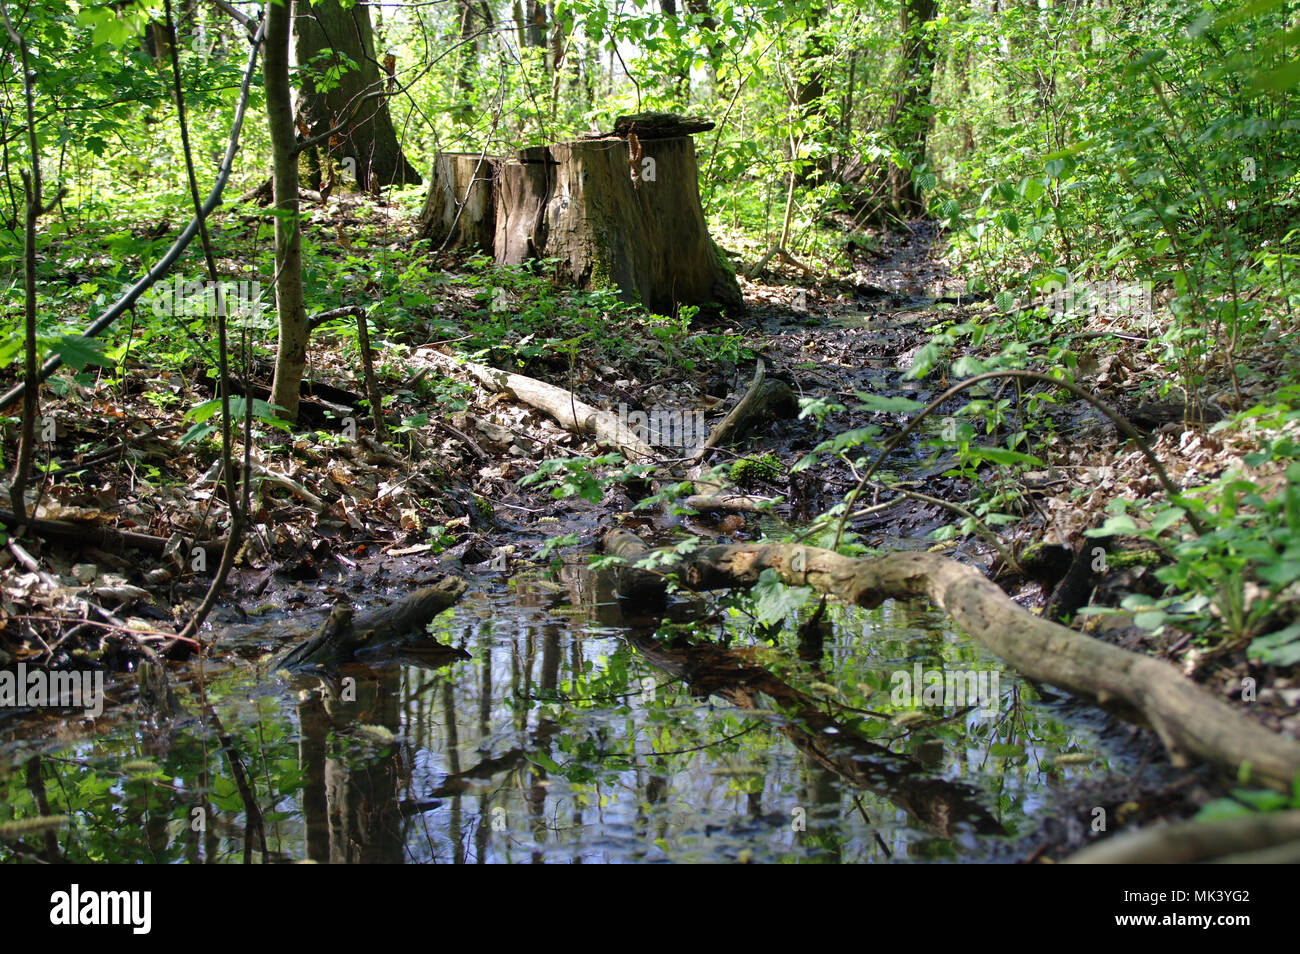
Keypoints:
pixel 570 735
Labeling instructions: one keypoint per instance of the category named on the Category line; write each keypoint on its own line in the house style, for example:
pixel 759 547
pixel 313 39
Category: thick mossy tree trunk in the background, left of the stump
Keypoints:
pixel 331 38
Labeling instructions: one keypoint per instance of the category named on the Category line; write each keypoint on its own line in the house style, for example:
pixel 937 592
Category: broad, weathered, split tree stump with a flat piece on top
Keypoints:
pixel 617 211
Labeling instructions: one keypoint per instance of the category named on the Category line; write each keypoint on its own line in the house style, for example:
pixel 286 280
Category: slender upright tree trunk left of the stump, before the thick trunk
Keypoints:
pixel 292 355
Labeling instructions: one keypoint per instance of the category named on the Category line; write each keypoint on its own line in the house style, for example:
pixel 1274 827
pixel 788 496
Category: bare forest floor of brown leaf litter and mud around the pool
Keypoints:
pixel 339 519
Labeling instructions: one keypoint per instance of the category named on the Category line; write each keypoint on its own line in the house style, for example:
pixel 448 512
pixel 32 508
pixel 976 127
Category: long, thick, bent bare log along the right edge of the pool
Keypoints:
pixel 1190 722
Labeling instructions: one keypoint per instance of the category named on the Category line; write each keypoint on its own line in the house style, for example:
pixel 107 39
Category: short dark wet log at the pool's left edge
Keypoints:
pixel 343 636
